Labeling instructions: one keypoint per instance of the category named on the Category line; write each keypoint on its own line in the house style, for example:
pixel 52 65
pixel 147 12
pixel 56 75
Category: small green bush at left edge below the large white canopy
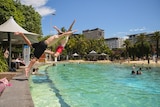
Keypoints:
pixel 3 63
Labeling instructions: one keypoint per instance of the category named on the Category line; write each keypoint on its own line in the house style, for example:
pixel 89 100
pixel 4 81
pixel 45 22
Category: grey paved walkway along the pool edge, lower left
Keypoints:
pixel 17 95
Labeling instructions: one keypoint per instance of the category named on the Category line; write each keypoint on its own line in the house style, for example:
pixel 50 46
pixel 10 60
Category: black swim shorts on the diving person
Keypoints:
pixel 39 49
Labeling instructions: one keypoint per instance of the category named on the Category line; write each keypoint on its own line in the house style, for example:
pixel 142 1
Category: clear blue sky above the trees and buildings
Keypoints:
pixel 117 18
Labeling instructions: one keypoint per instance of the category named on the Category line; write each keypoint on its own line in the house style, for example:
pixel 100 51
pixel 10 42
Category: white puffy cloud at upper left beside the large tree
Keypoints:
pixel 39 6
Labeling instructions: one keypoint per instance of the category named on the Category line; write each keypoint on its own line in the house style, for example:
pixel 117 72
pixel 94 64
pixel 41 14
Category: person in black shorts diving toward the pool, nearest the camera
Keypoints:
pixel 40 47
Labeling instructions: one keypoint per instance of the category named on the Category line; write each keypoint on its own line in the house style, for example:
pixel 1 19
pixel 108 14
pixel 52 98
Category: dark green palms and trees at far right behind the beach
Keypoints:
pixel 144 46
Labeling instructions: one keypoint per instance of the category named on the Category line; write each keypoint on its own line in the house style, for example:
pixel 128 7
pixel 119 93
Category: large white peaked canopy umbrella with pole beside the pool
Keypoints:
pixel 7 30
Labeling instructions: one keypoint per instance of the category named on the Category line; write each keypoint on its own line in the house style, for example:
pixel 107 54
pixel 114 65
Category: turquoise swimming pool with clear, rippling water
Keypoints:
pixel 95 85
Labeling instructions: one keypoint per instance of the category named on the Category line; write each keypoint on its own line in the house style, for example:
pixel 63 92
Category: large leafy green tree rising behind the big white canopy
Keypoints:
pixel 24 15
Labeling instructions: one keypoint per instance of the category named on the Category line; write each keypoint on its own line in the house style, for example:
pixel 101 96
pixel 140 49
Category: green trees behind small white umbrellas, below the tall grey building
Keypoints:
pixel 79 44
